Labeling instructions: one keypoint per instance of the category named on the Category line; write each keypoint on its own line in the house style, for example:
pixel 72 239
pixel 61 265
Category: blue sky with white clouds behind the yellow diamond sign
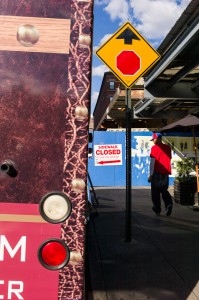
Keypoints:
pixel 152 18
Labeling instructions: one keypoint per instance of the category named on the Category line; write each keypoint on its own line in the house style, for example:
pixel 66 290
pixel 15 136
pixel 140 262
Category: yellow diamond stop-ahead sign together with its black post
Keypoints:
pixel 129 56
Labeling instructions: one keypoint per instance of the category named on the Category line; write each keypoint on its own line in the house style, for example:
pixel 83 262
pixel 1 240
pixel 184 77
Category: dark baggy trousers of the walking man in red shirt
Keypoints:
pixel 159 185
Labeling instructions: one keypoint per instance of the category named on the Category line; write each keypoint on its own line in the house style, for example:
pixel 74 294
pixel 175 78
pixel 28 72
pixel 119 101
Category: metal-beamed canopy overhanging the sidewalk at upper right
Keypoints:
pixel 172 86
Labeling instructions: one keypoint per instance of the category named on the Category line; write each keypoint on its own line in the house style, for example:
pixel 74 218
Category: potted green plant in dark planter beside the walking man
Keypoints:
pixel 185 184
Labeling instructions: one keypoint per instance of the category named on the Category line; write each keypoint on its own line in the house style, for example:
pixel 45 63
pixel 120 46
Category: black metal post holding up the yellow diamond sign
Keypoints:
pixel 128 165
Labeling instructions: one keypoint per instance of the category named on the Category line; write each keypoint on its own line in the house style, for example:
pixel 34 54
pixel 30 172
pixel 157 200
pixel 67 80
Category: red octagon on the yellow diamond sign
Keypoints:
pixel 128 62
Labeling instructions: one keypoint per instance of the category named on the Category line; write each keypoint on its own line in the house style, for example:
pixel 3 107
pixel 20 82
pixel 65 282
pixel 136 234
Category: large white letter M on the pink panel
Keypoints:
pixel 12 252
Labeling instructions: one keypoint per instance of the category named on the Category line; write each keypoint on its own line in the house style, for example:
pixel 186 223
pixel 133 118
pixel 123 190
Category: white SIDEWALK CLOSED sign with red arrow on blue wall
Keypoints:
pixel 108 155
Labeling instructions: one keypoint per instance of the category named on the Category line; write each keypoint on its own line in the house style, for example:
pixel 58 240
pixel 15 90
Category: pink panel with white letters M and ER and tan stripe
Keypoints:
pixel 22 230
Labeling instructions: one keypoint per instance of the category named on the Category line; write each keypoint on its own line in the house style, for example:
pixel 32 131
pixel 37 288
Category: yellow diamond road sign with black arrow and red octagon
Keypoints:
pixel 127 54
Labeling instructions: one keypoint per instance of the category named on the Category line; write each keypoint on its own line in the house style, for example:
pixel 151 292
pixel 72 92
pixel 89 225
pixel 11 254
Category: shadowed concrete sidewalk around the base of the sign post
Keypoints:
pixel 162 260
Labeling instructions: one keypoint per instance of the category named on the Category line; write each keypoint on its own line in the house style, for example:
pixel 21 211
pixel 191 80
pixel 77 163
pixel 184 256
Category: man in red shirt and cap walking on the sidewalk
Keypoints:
pixel 160 168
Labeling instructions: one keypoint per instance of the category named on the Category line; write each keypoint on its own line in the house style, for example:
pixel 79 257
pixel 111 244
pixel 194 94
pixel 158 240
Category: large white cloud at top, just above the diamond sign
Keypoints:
pixel 152 18
